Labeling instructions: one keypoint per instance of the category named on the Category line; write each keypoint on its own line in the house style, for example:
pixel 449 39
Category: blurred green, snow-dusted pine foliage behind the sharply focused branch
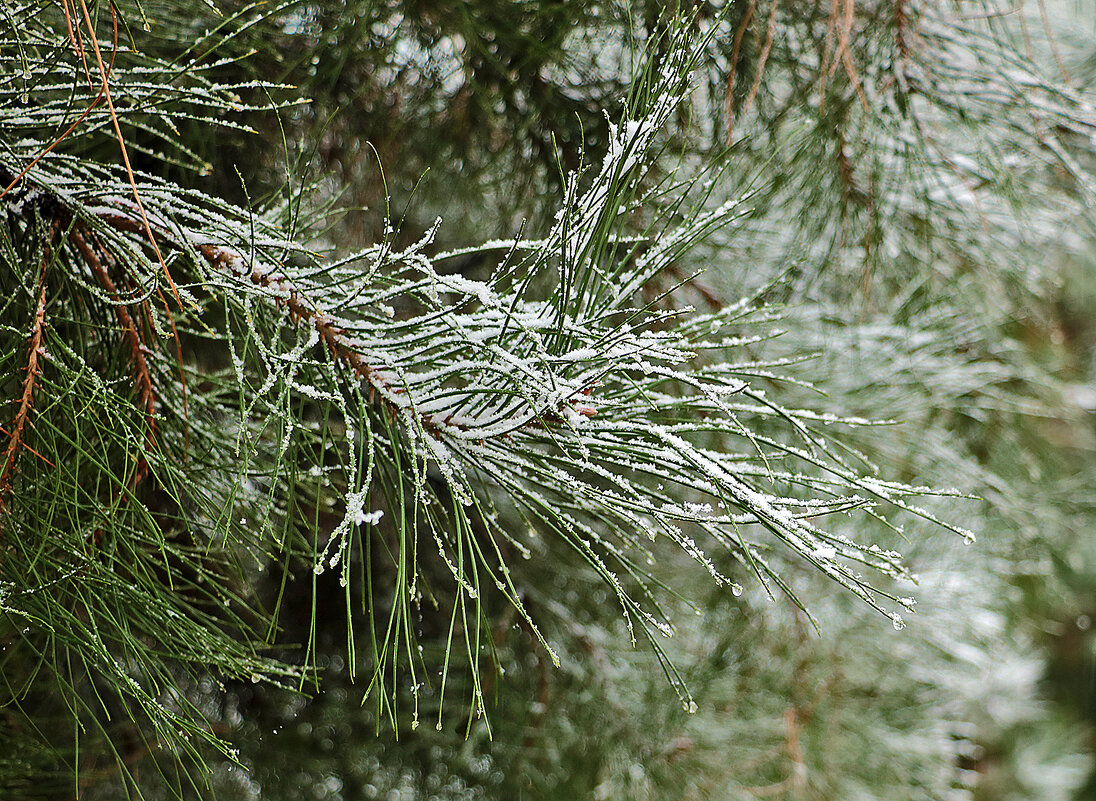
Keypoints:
pixel 921 181
